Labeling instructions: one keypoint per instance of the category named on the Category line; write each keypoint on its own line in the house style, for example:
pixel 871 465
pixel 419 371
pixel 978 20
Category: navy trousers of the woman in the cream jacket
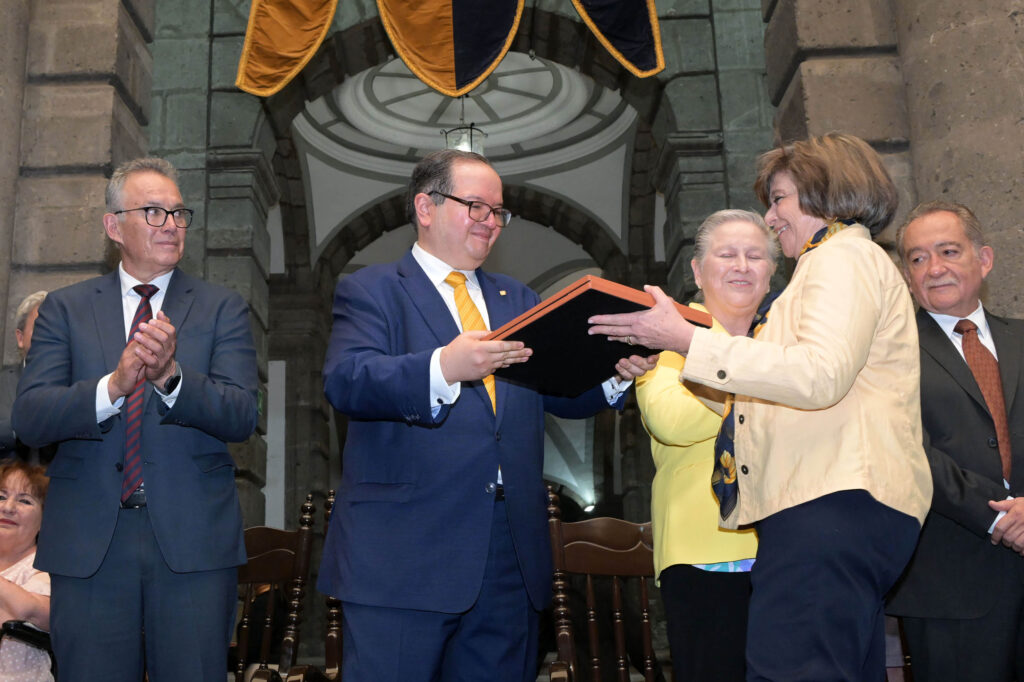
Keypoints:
pixel 823 571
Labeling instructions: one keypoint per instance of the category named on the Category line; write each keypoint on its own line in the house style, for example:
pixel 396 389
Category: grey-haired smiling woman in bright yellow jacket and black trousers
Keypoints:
pixel 704 571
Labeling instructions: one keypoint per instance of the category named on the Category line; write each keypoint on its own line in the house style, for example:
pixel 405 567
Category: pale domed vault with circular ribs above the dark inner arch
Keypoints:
pixel 550 130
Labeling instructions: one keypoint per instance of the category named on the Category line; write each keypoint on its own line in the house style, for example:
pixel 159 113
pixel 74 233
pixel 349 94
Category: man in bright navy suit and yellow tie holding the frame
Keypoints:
pixel 439 544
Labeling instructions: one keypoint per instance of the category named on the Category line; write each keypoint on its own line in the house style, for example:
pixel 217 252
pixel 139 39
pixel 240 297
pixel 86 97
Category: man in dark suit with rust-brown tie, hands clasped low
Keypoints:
pixel 963 593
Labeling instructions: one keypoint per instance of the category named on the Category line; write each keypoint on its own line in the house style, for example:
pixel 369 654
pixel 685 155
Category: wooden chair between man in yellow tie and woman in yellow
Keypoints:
pixel 600 547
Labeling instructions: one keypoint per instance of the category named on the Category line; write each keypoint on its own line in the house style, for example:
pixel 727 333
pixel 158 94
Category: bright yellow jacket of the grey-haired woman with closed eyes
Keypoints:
pixel 684 509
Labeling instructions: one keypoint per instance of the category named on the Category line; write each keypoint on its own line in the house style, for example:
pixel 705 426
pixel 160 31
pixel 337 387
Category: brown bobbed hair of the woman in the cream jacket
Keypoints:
pixel 838 177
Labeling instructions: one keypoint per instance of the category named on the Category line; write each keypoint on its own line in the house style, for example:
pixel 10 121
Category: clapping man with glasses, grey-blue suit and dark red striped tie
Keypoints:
pixel 142 387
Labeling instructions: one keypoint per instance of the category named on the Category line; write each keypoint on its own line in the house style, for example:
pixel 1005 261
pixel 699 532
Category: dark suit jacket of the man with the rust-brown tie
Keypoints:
pixel 956 572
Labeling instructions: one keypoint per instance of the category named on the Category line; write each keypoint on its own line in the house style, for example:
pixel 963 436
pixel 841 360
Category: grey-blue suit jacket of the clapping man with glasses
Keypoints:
pixel 190 476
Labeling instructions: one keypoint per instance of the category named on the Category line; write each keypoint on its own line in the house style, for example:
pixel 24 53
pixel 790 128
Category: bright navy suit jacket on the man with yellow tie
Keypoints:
pixel 413 518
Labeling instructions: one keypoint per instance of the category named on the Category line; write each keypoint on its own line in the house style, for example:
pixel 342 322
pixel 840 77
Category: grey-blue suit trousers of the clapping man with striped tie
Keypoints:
pixel 136 613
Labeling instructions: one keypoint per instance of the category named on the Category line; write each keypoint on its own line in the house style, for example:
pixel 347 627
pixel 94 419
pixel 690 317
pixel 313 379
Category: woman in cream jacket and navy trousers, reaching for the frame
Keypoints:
pixel 829 459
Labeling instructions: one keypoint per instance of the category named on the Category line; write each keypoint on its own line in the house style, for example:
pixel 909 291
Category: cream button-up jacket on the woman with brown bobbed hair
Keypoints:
pixel 828 397
